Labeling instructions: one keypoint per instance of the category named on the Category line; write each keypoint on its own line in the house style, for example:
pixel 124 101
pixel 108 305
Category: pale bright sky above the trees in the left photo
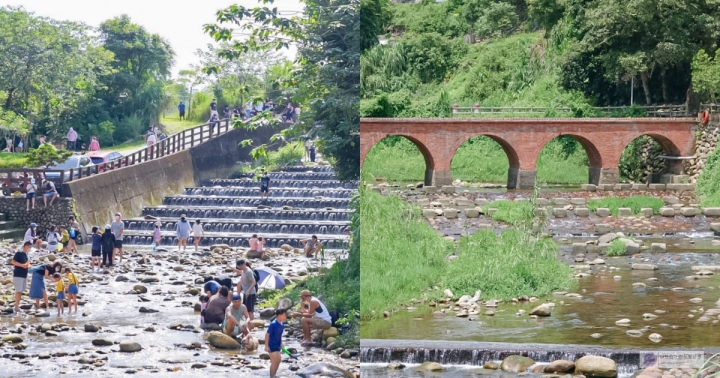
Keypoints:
pixel 179 22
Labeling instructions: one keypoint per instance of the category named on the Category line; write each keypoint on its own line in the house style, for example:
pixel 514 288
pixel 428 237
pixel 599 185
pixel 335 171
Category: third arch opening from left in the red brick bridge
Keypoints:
pixel 568 160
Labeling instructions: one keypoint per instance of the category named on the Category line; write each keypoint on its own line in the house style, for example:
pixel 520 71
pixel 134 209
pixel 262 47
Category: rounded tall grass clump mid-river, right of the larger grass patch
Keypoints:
pixel 508 265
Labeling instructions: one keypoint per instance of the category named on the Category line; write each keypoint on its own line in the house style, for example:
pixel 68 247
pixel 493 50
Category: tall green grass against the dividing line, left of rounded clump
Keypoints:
pixel 400 255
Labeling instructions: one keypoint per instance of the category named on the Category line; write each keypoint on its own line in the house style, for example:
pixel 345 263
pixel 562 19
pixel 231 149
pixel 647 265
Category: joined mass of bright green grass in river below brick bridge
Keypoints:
pixel 402 256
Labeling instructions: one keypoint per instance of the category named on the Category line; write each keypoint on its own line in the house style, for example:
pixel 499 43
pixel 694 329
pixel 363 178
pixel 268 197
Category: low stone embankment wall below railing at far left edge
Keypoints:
pixel 57 214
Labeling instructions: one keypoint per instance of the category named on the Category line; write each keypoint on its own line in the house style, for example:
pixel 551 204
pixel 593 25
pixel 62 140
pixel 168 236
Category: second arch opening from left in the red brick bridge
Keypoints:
pixel 484 159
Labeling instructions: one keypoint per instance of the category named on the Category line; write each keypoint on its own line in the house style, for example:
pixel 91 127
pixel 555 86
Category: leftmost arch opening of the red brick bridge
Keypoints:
pixel 399 158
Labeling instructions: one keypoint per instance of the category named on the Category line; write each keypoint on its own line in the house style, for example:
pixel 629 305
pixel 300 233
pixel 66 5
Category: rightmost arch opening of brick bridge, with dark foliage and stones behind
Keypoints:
pixel 640 161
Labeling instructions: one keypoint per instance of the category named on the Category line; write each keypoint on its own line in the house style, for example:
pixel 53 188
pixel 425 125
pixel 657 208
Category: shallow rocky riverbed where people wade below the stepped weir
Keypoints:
pixel 143 317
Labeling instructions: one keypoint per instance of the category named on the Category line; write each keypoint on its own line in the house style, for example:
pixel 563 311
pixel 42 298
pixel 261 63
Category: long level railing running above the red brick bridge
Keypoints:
pixel 485 111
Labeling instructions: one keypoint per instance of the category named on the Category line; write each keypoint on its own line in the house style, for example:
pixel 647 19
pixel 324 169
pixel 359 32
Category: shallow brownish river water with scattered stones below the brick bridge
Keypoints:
pixel 682 304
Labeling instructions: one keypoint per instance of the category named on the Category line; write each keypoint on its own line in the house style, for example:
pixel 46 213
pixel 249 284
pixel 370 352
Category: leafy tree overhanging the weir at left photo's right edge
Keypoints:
pixel 328 41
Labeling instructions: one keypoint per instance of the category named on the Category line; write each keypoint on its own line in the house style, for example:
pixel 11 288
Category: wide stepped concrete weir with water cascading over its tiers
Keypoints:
pixel 303 202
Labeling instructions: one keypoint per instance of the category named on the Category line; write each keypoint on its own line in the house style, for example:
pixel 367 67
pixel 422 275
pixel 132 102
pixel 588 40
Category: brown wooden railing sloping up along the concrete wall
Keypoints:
pixel 12 180
